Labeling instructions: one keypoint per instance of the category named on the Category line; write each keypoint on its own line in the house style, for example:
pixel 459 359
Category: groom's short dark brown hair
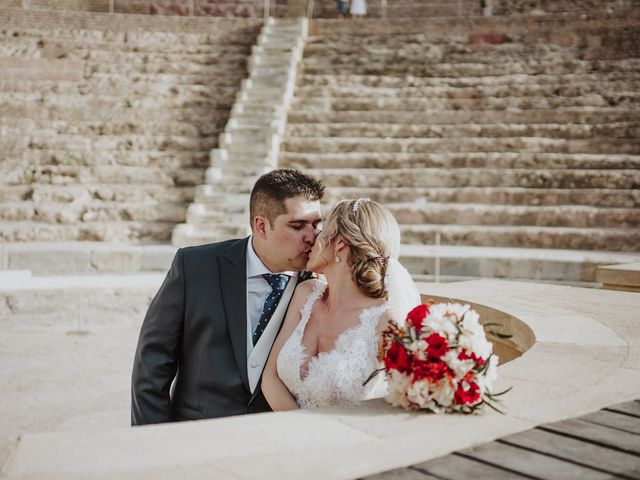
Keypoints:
pixel 273 188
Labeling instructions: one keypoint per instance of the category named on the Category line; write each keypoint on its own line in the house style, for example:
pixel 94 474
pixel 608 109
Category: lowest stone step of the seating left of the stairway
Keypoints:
pixel 120 231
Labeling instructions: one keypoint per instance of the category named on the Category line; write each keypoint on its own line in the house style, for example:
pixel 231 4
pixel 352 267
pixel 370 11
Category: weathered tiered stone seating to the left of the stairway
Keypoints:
pixel 107 124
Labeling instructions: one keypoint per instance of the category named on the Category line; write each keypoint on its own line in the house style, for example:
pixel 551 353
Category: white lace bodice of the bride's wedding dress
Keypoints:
pixel 334 377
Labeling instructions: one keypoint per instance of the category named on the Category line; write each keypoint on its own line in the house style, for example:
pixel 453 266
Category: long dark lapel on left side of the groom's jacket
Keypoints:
pixel 233 273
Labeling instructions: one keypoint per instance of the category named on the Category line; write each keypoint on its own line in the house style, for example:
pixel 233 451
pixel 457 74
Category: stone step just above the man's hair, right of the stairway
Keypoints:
pixel 509 160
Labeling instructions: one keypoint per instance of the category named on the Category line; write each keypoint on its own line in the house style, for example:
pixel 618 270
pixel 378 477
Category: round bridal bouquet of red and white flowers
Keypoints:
pixel 440 361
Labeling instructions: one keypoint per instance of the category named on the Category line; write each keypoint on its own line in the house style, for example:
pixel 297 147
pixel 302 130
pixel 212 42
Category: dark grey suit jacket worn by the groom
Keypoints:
pixel 195 332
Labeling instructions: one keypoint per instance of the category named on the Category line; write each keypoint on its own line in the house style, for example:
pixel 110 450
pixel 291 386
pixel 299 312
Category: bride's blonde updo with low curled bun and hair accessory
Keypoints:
pixel 373 235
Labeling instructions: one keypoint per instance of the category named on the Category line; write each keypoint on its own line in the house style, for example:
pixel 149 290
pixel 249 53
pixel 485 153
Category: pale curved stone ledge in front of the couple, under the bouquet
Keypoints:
pixel 586 357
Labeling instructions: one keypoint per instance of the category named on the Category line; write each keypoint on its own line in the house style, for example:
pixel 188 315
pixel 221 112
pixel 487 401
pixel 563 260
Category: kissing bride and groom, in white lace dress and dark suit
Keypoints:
pixel 289 317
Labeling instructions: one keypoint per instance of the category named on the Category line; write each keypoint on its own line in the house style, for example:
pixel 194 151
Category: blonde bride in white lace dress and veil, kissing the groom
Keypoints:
pixel 330 340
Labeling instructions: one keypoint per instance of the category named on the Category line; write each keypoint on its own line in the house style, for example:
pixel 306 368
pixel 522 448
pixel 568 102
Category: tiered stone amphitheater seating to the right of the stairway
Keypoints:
pixel 511 132
